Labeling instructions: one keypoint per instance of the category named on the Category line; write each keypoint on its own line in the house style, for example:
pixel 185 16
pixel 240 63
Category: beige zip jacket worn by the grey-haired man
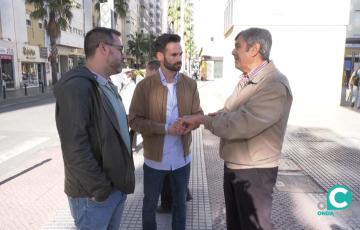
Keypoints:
pixel 253 125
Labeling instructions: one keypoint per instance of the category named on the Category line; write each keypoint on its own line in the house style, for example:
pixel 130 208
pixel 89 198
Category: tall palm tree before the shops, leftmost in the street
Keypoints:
pixel 57 16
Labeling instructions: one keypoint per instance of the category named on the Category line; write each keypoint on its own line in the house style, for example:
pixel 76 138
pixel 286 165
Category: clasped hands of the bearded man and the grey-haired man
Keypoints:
pixel 185 124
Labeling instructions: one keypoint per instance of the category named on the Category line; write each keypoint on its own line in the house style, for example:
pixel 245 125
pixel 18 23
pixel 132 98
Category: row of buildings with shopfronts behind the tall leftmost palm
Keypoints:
pixel 24 44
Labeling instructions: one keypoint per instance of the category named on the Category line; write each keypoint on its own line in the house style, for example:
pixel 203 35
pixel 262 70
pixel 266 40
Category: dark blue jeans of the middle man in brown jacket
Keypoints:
pixel 153 181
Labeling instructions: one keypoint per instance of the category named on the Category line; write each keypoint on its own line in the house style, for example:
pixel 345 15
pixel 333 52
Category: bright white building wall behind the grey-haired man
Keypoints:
pixel 308 47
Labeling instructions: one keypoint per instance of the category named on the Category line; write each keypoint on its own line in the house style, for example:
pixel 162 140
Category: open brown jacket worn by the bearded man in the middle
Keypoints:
pixel 147 113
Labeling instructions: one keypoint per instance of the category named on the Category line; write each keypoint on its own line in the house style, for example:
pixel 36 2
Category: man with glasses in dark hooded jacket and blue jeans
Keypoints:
pixel 94 135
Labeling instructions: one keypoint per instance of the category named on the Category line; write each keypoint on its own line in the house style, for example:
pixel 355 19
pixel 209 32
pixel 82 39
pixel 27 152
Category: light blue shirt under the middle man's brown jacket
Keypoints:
pixel 173 152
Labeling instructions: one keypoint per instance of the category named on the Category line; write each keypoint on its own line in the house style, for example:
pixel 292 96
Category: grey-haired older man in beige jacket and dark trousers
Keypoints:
pixel 251 126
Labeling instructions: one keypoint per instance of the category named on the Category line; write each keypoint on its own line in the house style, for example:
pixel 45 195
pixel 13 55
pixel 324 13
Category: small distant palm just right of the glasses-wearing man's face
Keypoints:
pixel 138 46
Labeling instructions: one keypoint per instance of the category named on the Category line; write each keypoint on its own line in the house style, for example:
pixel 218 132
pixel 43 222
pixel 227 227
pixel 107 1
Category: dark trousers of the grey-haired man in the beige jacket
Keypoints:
pixel 248 198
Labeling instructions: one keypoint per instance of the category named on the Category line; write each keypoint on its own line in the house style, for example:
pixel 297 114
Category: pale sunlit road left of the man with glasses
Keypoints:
pixel 26 132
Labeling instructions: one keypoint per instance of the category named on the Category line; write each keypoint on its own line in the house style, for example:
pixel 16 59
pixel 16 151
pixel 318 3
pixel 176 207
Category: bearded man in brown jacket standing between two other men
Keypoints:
pixel 159 100
